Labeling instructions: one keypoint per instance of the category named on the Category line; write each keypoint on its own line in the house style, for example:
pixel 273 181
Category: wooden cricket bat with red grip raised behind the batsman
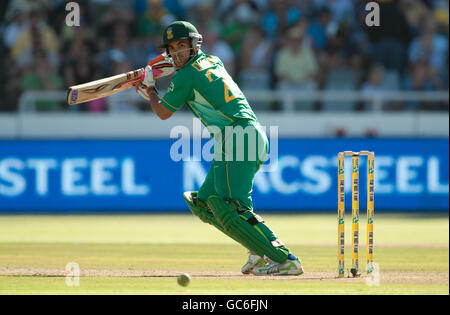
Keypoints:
pixel 161 66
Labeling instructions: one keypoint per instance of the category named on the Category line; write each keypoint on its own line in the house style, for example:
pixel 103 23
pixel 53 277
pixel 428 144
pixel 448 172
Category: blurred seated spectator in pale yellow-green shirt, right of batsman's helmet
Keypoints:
pixel 296 65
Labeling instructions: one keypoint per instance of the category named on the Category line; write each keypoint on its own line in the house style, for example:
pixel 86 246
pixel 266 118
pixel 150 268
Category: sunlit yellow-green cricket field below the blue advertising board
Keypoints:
pixel 143 254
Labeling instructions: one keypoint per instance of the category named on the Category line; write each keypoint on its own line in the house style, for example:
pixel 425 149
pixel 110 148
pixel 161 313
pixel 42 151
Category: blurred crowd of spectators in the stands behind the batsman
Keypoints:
pixel 307 45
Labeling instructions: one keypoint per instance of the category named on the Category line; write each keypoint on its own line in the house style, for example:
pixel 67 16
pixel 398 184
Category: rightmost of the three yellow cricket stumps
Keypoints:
pixel 370 211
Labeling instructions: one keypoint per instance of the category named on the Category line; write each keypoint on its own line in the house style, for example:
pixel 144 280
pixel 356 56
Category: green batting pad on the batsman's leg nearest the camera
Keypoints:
pixel 244 232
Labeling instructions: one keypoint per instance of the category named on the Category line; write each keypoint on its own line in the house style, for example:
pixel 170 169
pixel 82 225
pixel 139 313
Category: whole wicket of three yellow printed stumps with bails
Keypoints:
pixel 355 211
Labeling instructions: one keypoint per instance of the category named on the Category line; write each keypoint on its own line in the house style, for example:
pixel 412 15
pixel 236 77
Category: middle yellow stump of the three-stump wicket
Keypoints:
pixel 355 214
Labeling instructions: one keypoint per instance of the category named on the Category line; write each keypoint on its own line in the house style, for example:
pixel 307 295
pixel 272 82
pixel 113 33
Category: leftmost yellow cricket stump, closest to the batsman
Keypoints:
pixel 341 213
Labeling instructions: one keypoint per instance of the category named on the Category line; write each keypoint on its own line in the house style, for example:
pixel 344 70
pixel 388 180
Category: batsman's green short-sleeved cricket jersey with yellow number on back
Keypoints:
pixel 210 93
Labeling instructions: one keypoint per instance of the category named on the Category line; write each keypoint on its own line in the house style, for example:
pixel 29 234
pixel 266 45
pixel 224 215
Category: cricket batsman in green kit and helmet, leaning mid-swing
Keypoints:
pixel 224 199
